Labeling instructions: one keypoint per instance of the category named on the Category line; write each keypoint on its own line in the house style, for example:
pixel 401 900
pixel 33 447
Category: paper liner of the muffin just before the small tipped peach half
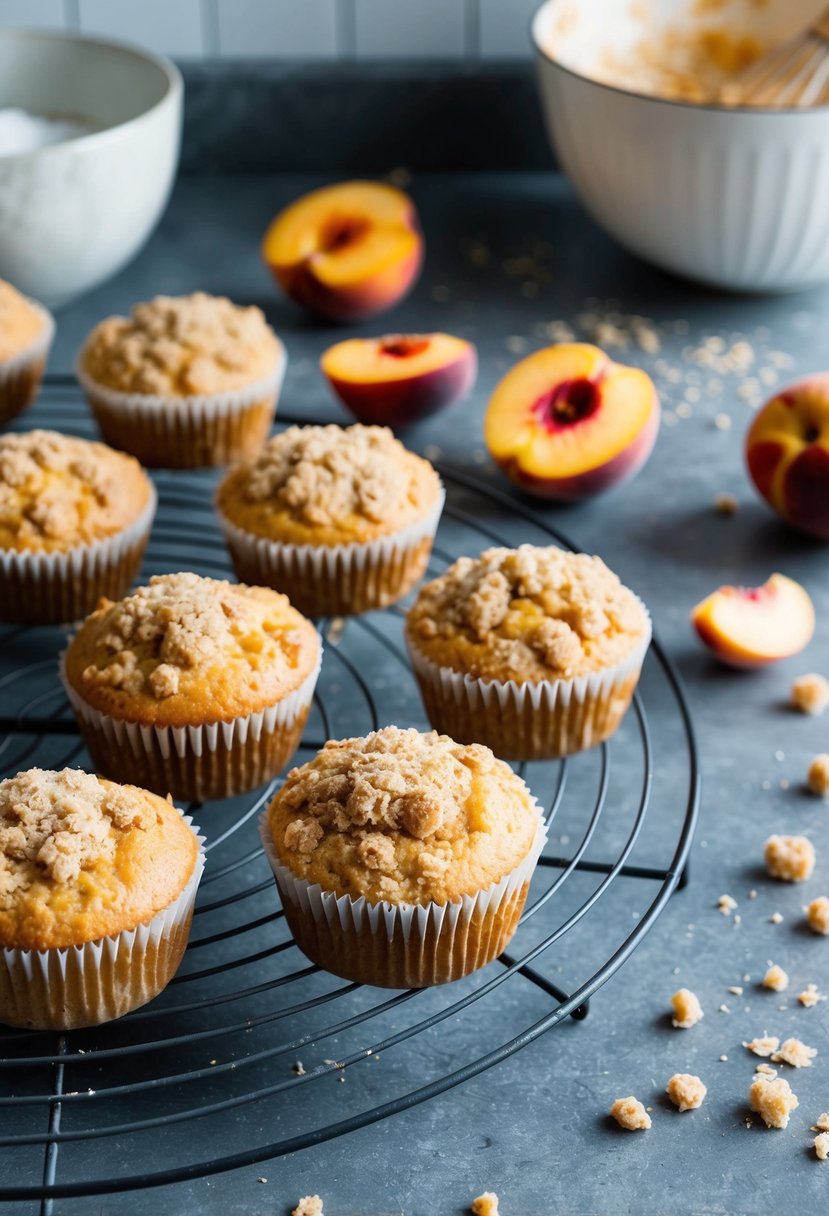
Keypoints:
pixel 337 581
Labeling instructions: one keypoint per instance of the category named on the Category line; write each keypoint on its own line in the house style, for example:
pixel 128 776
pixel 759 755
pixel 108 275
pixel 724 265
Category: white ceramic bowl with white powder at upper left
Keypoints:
pixel 75 213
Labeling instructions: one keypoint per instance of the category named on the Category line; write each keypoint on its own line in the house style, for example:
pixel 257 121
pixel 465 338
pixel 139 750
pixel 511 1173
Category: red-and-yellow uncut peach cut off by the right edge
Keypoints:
pixel 787 452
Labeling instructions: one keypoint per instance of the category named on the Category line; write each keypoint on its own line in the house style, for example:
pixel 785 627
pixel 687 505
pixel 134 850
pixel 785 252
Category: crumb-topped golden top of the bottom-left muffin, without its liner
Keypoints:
pixel 82 858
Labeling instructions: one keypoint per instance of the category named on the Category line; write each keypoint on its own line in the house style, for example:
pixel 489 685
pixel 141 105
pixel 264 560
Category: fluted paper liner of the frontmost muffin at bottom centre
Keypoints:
pixel 403 945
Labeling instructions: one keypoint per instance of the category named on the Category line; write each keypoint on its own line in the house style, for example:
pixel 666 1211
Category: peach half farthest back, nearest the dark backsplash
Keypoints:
pixel 347 252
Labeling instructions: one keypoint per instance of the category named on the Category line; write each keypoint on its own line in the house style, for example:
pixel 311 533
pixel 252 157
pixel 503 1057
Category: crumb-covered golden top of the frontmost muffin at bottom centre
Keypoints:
pixel 404 818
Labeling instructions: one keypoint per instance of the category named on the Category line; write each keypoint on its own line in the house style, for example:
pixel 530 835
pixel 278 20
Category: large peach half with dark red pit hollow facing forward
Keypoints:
pixel 567 423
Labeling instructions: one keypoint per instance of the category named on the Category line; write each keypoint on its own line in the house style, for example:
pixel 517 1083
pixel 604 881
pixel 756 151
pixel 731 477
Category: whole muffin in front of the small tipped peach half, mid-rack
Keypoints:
pixel 340 519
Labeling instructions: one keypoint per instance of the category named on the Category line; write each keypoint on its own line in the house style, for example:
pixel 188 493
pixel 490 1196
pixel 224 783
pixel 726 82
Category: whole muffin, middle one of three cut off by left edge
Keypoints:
pixel 75 522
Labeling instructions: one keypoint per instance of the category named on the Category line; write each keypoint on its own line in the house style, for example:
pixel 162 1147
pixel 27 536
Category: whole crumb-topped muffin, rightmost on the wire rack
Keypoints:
pixel 535 652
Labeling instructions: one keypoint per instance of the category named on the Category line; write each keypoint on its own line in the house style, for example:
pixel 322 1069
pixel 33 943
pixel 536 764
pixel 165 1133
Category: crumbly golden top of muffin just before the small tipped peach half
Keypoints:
pixel 330 486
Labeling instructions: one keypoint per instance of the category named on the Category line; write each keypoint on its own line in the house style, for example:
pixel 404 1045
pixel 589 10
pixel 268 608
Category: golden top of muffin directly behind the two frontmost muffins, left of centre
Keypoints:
pixel 187 651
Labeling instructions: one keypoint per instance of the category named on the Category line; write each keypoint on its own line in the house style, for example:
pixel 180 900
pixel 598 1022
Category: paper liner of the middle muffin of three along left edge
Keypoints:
pixel 54 589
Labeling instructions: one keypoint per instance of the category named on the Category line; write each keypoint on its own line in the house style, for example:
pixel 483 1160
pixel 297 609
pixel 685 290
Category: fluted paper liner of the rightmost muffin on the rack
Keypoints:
pixel 538 720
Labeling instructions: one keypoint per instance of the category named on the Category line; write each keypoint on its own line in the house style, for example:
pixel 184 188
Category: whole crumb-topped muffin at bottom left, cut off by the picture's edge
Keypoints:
pixel 98 885
